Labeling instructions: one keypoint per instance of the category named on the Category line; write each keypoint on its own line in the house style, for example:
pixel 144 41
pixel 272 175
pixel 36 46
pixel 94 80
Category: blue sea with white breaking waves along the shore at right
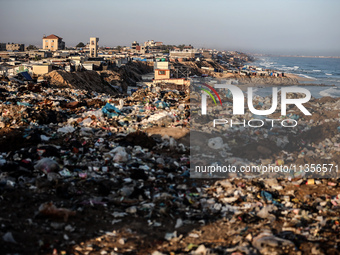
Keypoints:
pixel 324 71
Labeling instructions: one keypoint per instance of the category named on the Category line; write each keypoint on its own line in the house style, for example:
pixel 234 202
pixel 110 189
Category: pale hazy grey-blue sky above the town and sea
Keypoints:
pixel 293 27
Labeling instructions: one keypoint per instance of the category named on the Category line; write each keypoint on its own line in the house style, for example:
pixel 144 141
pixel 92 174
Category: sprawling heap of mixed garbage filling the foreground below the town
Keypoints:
pixel 83 172
